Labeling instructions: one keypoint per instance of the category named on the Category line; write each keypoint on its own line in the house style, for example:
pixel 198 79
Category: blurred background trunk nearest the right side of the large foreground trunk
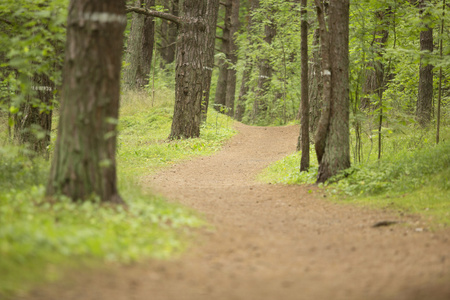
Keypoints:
pixel 139 47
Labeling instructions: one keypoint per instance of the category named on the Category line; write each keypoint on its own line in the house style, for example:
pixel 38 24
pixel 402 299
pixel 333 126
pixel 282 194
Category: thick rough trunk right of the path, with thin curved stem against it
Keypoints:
pixel 337 147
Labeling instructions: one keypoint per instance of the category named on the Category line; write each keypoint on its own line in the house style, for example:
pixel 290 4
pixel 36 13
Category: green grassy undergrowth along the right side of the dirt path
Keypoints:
pixel 413 176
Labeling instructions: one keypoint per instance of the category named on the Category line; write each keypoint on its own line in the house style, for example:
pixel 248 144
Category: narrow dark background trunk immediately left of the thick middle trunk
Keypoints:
pixel 169 32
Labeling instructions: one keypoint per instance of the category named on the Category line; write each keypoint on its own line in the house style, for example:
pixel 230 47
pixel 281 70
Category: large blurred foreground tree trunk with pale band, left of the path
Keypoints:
pixel 84 162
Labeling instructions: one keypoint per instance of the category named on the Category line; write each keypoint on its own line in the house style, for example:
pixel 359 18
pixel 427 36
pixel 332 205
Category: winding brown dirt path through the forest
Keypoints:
pixel 273 241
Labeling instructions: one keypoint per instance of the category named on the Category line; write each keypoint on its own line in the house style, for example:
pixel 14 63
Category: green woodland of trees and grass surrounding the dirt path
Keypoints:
pixel 180 83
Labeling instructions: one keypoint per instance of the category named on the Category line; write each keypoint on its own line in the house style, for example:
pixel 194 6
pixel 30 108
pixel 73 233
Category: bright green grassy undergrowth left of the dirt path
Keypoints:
pixel 40 239
